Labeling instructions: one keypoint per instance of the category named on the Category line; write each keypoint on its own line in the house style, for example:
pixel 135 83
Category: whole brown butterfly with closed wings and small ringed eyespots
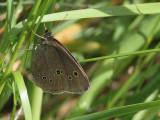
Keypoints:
pixel 56 70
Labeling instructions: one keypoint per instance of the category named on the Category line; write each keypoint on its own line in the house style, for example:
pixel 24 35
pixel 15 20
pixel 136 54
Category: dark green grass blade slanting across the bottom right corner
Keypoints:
pixel 119 111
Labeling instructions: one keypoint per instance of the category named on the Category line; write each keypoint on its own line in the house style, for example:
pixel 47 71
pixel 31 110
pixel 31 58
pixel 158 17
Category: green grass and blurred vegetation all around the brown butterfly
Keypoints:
pixel 116 41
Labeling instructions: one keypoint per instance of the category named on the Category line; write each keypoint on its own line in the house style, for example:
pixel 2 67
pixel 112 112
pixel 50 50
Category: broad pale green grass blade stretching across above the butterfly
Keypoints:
pixel 123 10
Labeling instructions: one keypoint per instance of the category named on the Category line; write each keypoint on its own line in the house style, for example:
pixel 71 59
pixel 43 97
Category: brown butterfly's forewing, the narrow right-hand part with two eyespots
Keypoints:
pixel 77 80
